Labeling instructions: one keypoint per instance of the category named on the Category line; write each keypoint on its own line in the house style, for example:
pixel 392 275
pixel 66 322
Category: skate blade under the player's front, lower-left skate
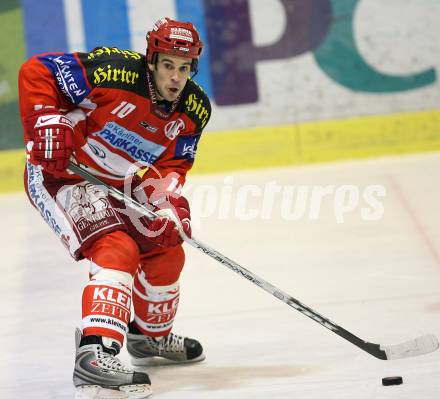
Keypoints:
pixel 125 392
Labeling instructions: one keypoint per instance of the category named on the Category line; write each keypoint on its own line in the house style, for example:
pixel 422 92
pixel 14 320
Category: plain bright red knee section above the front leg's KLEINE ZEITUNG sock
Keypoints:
pixel 116 251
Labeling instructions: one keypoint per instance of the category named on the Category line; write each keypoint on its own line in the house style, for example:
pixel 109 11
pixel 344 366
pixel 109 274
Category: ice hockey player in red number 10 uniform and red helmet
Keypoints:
pixel 134 121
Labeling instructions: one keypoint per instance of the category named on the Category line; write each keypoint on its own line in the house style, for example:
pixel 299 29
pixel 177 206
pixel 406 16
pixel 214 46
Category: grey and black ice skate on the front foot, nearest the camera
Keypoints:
pixel 98 370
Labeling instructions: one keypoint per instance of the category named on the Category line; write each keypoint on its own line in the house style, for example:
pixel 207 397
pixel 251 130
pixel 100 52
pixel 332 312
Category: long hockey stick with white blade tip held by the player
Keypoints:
pixel 415 347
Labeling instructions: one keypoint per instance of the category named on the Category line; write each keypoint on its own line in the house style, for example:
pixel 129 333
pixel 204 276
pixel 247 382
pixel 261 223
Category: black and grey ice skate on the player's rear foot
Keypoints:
pixel 171 349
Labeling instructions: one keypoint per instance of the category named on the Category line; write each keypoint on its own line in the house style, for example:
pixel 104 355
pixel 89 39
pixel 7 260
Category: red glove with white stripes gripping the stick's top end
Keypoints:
pixel 51 135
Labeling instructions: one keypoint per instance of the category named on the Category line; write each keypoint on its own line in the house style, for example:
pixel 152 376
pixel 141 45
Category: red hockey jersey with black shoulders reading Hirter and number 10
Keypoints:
pixel 120 127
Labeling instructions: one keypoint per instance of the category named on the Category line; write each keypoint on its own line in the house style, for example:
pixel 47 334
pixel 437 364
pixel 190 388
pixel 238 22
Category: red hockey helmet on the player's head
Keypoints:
pixel 174 38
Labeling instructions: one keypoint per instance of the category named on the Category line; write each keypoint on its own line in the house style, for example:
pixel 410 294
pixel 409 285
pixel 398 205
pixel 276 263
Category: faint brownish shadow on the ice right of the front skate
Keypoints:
pixel 202 376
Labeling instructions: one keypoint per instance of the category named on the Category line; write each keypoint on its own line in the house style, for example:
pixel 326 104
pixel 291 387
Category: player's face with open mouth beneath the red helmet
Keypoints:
pixel 170 75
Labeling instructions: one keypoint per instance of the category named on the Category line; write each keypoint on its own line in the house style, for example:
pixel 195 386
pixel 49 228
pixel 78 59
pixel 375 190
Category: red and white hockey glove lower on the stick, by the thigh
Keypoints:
pixel 173 221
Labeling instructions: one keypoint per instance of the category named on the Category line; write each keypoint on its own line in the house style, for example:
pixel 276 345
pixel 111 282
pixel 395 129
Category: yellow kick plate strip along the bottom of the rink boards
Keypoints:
pixel 270 146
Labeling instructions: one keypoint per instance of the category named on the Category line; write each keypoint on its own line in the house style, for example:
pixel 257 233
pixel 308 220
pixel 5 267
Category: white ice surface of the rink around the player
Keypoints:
pixel 378 279
